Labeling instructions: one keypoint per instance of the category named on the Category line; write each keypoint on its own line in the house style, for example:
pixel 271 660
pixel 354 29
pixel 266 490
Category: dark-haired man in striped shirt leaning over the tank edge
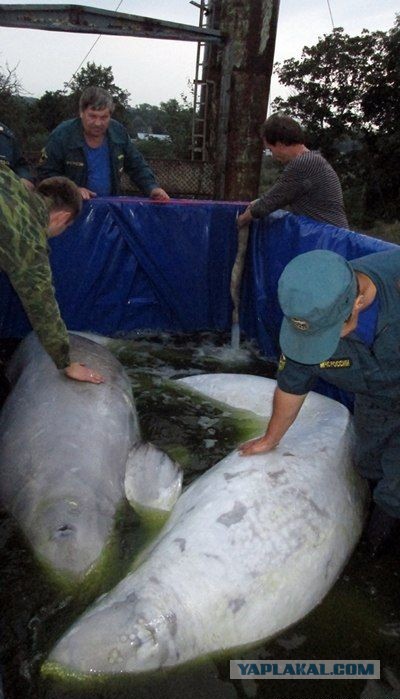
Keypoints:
pixel 308 185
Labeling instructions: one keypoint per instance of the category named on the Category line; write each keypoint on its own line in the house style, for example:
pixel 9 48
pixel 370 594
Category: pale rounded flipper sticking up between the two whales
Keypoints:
pixel 153 482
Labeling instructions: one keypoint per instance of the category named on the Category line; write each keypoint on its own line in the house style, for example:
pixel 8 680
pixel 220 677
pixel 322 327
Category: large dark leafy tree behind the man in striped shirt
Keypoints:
pixel 346 92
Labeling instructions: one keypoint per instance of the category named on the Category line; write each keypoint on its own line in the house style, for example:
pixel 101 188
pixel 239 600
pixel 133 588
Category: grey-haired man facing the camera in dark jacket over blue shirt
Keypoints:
pixel 94 150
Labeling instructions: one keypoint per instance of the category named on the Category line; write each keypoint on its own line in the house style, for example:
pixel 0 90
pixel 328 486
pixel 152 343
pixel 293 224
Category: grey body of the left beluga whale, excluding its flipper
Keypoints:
pixel 64 447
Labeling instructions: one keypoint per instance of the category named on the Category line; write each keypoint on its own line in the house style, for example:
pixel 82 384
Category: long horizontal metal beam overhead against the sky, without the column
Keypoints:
pixel 91 20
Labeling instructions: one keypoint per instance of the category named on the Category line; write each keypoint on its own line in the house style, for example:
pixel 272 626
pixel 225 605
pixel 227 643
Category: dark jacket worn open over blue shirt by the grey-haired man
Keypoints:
pixel 64 155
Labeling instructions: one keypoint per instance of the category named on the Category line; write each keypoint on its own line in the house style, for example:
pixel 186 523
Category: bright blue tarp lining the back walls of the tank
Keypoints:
pixel 131 264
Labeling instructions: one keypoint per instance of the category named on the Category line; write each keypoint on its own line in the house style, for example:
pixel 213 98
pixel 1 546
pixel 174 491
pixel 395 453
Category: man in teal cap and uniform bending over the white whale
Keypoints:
pixel 342 323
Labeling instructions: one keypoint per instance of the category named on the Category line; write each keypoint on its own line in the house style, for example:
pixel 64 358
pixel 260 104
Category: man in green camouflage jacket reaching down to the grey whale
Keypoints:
pixel 27 219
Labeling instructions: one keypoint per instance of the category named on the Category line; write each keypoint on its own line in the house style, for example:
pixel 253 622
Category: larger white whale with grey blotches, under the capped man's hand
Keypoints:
pixel 251 547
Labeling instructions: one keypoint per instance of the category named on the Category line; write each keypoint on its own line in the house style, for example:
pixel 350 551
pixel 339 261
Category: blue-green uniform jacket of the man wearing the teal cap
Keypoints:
pixel 366 371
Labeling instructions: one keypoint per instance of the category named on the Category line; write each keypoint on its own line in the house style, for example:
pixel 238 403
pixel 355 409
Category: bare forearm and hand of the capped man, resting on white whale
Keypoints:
pixel 285 408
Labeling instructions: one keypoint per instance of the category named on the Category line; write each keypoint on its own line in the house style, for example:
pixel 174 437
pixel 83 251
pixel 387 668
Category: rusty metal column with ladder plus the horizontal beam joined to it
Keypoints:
pixel 236 41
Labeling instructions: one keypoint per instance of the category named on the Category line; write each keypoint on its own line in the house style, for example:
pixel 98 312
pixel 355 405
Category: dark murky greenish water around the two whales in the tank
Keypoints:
pixel 359 618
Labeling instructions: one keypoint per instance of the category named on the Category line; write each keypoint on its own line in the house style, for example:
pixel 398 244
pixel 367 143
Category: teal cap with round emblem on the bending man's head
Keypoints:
pixel 316 292
